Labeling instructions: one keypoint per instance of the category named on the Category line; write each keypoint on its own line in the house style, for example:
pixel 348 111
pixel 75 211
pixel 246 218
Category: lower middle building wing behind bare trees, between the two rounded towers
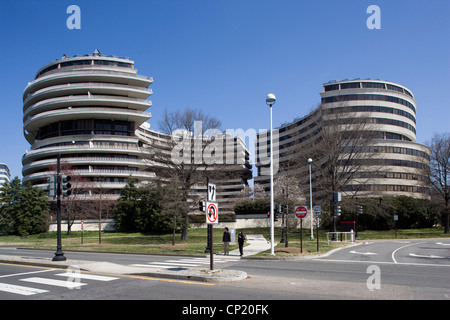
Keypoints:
pixel 229 167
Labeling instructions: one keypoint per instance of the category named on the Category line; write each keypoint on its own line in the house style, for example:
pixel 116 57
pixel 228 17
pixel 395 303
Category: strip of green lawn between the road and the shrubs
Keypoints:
pixel 196 243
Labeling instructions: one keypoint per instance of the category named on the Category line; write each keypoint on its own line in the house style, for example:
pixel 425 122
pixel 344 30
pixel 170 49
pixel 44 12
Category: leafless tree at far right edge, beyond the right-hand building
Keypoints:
pixel 440 172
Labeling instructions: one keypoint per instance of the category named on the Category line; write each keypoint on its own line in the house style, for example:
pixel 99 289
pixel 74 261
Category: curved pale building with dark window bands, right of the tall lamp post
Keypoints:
pixel 383 114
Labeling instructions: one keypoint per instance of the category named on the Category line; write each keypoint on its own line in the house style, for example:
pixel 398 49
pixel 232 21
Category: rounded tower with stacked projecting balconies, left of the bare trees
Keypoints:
pixel 92 110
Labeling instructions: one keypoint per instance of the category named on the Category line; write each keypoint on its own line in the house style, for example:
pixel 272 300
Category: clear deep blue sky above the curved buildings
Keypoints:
pixel 224 56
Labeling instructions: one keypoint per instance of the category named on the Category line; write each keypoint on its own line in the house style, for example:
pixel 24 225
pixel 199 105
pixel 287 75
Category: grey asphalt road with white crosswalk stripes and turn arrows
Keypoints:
pixel 403 269
